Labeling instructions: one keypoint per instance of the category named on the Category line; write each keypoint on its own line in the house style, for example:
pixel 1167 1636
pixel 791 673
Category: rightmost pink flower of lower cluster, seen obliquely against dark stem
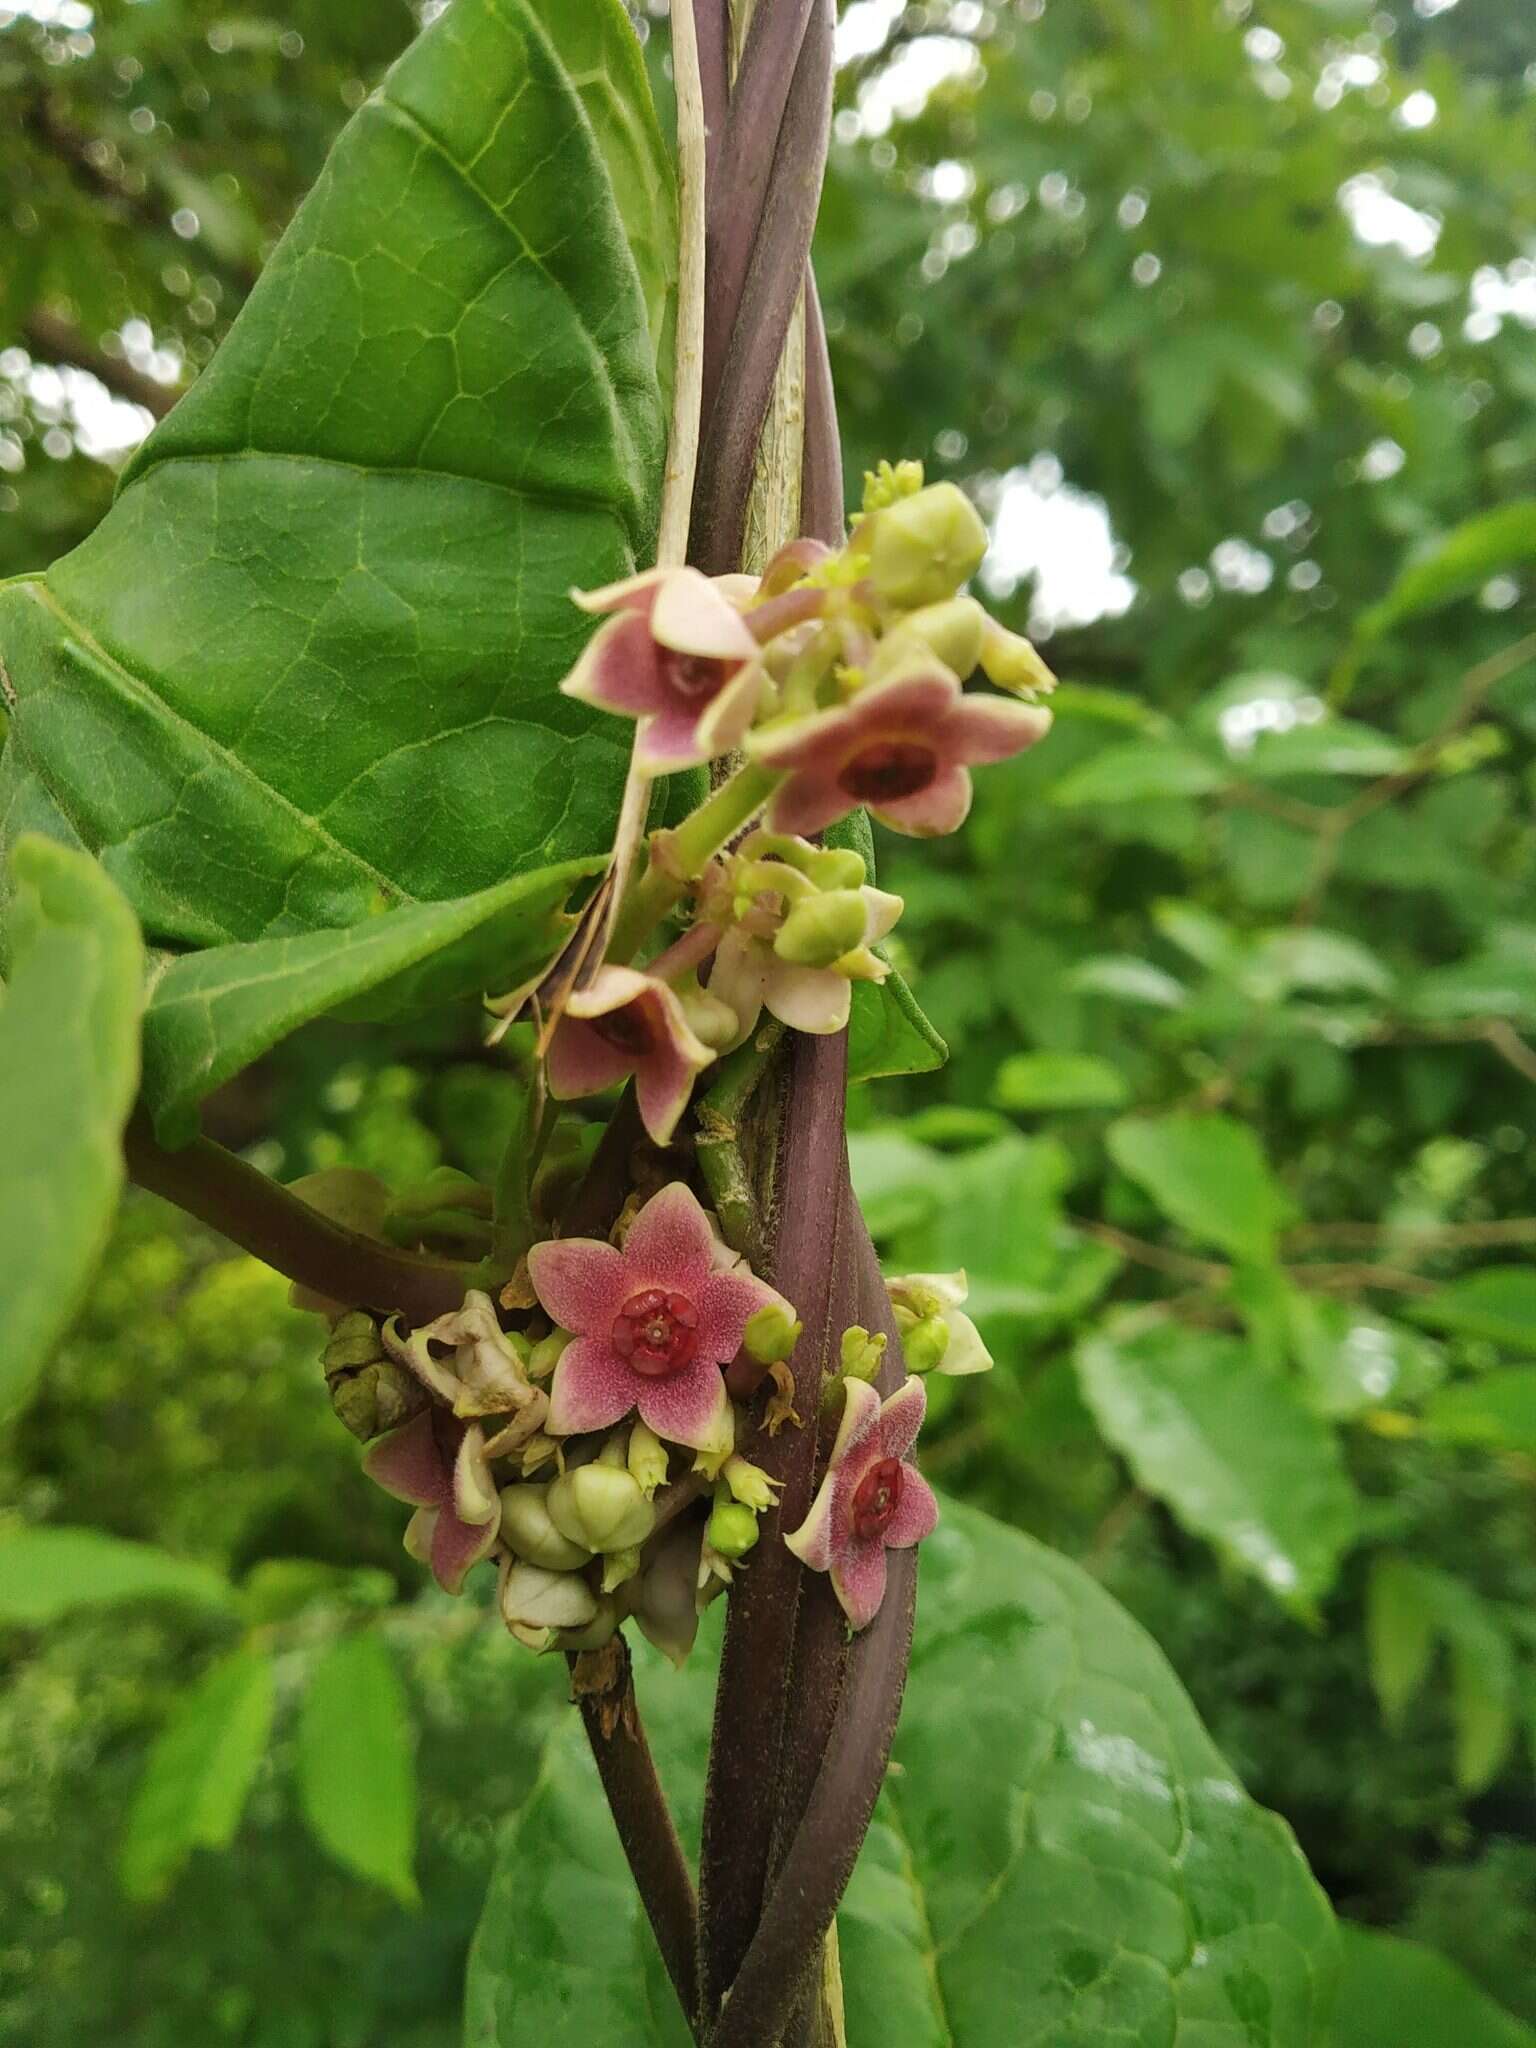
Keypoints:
pixel 869 1500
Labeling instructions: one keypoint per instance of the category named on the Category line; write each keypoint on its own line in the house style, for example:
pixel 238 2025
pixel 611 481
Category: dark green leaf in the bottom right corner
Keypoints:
pixel 1400 1996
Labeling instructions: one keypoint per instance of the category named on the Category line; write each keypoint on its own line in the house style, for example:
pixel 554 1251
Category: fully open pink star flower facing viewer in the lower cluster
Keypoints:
pixel 654 1324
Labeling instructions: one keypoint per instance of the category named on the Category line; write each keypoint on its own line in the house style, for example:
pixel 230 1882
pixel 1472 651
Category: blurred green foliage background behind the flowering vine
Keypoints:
pixel 1238 972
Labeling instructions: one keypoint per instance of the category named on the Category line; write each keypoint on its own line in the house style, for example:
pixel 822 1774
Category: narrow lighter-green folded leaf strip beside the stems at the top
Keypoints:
pixel 601 52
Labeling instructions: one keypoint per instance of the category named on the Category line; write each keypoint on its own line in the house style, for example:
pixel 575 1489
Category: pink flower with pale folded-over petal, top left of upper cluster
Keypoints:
pixel 677 656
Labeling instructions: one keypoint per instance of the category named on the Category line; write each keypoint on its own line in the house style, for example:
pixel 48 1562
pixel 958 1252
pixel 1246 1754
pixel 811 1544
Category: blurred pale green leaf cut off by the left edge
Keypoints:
pixel 69 1070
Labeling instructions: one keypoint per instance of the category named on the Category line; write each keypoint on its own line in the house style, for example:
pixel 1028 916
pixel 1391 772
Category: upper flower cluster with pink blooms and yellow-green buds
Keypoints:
pixel 839 675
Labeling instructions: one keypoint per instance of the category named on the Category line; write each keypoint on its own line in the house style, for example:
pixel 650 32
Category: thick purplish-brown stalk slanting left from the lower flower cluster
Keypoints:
pixel 273 1226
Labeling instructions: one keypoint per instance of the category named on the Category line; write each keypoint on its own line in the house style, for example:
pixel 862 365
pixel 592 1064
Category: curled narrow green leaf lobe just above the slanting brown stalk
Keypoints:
pixel 214 1013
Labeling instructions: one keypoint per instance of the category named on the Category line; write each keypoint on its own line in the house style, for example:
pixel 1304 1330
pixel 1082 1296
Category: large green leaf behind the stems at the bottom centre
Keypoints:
pixel 1060 1854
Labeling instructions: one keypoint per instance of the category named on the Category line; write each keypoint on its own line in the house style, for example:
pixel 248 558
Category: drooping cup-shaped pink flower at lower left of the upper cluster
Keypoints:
pixel 628 1023
